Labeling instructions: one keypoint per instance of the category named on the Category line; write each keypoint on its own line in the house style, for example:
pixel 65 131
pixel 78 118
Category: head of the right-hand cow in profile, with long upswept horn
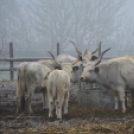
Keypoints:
pixel 91 70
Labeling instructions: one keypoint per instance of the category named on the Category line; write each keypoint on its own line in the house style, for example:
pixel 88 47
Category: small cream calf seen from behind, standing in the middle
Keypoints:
pixel 58 83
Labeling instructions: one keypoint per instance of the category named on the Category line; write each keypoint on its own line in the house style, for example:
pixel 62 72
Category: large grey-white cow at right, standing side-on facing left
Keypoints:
pixel 116 74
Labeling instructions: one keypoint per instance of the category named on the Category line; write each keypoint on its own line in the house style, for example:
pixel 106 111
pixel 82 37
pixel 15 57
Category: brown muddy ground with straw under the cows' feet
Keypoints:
pixel 80 120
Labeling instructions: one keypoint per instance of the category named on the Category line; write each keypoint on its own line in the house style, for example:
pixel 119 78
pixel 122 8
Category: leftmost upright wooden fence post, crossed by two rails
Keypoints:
pixel 11 62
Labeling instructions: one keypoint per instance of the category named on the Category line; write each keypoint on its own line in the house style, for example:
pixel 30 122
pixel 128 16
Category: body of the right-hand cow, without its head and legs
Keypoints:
pixel 119 71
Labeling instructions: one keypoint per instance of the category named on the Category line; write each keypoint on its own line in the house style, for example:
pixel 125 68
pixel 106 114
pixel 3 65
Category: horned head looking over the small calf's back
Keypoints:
pixel 70 68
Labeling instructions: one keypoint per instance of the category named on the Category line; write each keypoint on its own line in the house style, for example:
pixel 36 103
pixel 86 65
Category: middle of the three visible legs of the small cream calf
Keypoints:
pixel 59 103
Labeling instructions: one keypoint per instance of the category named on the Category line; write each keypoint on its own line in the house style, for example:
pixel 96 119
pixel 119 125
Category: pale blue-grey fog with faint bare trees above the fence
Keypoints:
pixel 34 27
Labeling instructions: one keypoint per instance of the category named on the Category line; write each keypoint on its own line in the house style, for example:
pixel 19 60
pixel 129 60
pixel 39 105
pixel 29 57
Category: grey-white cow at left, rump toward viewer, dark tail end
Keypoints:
pixel 30 77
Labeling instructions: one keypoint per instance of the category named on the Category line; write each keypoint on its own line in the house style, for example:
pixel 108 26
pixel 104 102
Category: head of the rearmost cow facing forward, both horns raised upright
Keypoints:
pixel 86 56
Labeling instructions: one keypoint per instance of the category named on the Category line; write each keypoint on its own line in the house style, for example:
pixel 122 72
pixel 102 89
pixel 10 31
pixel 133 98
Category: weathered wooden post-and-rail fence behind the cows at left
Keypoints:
pixel 11 60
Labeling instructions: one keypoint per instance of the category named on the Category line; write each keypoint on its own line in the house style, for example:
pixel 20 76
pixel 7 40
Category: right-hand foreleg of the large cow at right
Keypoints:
pixel 121 93
